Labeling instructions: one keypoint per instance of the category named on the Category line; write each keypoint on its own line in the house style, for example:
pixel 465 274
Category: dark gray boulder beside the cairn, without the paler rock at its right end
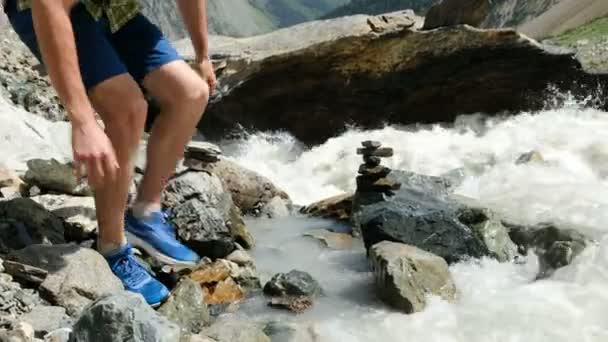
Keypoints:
pixel 420 214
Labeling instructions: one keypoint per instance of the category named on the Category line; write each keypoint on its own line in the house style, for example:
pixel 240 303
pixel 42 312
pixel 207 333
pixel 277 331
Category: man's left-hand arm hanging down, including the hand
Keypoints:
pixel 55 35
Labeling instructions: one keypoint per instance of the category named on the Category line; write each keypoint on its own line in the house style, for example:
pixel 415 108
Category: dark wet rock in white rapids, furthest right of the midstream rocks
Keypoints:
pixel 555 247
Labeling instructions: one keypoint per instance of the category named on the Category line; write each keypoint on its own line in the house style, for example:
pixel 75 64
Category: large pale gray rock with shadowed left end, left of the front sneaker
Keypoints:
pixel 76 276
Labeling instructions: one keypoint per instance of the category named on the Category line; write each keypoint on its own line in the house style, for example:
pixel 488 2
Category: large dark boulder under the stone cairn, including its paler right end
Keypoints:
pixel 424 214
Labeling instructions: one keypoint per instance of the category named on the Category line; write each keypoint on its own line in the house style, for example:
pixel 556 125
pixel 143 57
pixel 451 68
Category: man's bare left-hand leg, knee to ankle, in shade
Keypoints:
pixel 122 107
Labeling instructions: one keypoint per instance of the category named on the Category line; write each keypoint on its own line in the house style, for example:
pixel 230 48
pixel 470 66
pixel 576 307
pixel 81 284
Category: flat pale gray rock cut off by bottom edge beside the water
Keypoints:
pixel 229 330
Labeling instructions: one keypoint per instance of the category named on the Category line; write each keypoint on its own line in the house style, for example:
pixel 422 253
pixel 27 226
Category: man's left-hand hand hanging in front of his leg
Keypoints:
pixel 93 150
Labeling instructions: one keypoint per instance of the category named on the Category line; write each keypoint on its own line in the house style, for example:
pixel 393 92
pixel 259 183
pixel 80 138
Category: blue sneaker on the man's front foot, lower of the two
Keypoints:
pixel 135 278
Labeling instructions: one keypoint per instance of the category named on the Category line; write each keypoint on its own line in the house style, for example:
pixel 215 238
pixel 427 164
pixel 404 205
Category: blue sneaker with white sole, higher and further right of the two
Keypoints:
pixel 157 238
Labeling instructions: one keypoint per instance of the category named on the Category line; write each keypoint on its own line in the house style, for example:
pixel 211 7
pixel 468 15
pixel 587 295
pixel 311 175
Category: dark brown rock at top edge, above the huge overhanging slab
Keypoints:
pixel 457 12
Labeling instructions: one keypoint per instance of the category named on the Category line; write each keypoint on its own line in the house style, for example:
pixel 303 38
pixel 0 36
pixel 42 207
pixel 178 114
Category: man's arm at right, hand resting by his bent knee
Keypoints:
pixel 194 13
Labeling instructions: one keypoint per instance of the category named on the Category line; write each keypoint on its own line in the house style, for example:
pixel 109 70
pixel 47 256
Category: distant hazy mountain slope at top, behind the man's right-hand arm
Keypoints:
pixel 239 18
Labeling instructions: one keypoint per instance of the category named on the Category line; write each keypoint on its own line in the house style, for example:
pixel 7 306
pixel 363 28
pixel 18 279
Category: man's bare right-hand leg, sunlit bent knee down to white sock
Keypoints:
pixel 183 96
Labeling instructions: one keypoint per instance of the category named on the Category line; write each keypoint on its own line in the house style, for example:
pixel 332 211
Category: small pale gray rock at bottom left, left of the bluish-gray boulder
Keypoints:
pixel 46 319
